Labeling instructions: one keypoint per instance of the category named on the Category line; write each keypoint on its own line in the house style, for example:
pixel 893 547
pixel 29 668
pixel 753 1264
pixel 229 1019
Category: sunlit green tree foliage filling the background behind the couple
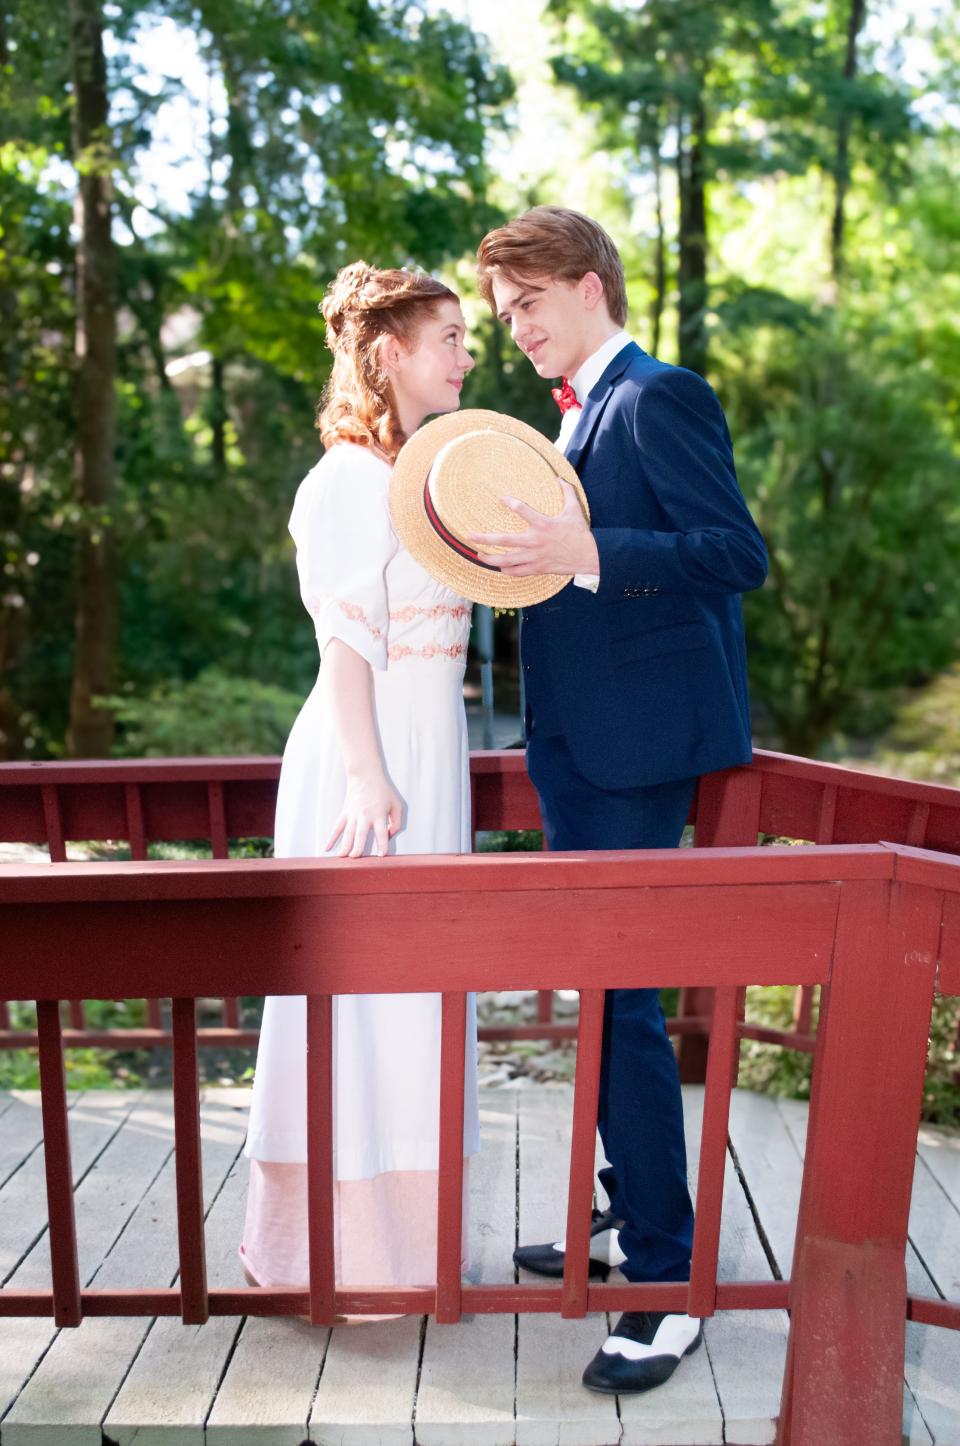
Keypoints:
pixel 728 142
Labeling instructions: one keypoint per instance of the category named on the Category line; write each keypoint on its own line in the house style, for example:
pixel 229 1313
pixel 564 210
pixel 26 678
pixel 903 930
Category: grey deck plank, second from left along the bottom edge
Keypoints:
pixel 173 1385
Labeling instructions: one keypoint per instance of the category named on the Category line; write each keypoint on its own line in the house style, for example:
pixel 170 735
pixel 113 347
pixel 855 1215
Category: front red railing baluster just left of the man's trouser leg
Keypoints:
pixel 583 1149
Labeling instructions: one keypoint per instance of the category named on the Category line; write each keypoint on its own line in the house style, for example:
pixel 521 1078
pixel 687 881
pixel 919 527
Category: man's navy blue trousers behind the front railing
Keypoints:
pixel 640 1113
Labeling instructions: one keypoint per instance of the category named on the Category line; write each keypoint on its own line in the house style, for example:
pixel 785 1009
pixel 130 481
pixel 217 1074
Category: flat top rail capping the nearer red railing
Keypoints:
pixel 460 874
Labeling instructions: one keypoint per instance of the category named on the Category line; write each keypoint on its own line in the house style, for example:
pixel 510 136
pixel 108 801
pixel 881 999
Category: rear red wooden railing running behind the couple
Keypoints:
pixel 216 800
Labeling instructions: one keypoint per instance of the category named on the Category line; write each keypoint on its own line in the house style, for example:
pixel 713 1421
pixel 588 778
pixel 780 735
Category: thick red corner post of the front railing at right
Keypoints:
pixel 845 1363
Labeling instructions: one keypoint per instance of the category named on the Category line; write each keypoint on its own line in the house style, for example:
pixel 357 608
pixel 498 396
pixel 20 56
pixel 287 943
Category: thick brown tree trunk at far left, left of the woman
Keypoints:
pixel 96 637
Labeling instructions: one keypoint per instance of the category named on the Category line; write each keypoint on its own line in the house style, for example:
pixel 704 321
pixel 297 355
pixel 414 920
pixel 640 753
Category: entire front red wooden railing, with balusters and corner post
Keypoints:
pixel 874 926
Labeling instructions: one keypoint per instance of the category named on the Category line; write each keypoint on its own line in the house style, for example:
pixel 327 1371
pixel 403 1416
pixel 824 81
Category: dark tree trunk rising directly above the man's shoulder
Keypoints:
pixel 693 239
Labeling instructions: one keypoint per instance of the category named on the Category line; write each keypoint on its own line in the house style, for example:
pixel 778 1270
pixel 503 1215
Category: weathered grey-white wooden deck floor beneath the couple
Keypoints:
pixel 497 1380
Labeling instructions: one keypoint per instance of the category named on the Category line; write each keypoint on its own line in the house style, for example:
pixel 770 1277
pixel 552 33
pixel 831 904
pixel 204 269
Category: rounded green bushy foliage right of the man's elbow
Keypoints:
pixel 851 469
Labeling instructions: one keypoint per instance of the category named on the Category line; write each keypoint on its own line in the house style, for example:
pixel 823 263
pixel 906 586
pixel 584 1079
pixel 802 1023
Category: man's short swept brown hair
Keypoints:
pixel 557 244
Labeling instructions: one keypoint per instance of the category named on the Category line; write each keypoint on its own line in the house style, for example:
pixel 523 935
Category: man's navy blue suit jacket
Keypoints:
pixel 647 679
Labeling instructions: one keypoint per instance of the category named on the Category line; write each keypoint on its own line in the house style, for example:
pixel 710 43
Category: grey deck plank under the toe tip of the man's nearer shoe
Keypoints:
pixel 553 1408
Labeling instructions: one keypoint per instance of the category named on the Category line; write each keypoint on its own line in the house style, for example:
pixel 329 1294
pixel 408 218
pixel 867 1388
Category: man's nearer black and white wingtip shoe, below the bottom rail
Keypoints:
pixel 644 1351
